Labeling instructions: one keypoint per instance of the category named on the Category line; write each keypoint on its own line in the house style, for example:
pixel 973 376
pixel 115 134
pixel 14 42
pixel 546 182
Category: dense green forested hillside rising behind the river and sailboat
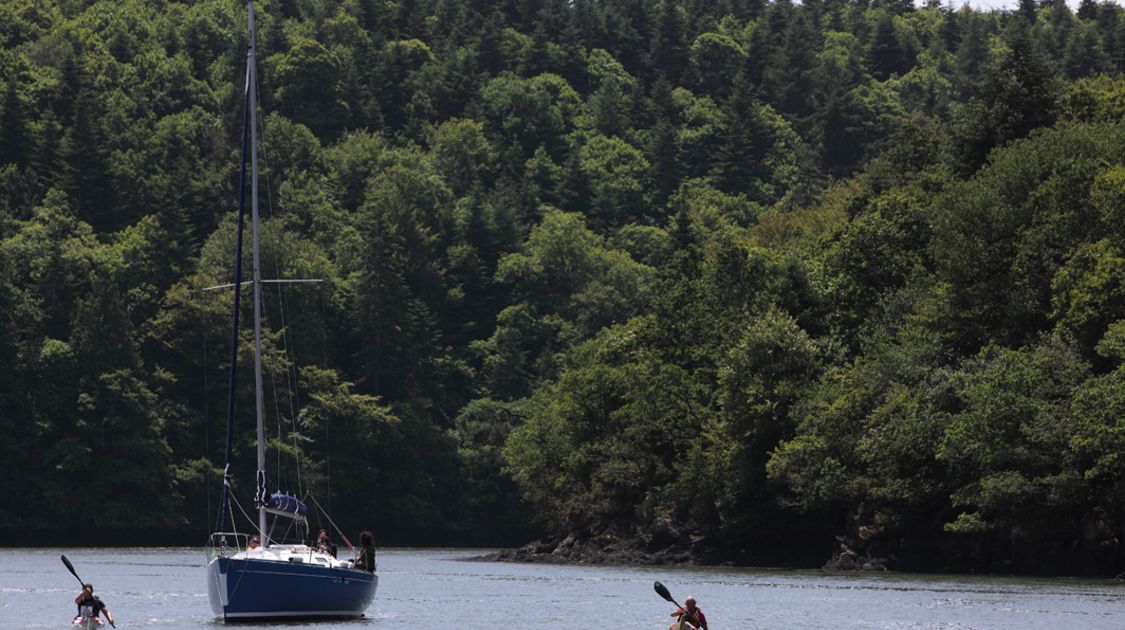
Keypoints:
pixel 713 280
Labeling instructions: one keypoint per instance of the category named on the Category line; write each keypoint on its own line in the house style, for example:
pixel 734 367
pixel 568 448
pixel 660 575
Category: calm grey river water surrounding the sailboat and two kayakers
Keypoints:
pixel 435 590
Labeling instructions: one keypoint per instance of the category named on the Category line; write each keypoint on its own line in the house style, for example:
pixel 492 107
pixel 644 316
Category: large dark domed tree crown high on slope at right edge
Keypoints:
pixel 1000 263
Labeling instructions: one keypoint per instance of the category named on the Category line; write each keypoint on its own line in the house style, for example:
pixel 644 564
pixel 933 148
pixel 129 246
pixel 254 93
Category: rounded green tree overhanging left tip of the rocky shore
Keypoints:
pixel 598 446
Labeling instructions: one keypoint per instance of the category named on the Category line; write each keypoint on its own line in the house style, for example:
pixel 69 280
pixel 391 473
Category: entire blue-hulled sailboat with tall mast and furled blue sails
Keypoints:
pixel 256 578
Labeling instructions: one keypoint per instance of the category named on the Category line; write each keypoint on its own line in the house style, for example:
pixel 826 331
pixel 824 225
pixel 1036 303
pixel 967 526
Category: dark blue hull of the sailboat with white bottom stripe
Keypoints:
pixel 249 589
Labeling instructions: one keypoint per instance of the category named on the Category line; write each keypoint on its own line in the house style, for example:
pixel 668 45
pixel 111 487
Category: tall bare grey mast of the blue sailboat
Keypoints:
pixel 259 406
